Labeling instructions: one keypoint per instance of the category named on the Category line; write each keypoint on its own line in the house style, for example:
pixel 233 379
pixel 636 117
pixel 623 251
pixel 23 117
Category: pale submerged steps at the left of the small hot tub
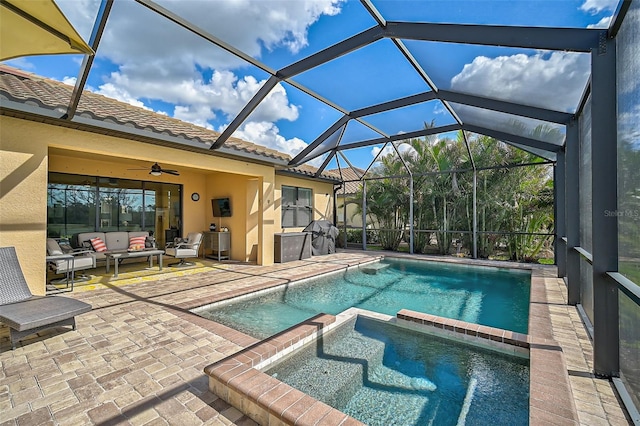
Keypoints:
pixel 326 371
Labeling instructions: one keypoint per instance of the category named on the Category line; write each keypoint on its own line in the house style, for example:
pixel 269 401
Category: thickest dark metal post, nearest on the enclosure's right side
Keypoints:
pixel 606 340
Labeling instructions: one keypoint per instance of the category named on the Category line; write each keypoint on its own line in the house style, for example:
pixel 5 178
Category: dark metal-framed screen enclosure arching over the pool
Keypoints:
pixel 486 129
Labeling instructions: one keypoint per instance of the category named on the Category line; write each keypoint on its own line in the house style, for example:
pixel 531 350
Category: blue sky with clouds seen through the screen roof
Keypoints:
pixel 149 62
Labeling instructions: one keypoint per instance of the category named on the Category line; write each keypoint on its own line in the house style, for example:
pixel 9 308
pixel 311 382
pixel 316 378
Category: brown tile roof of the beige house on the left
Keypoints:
pixel 27 88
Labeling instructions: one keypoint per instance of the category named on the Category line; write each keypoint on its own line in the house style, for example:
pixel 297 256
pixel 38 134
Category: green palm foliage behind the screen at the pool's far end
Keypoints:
pixel 514 197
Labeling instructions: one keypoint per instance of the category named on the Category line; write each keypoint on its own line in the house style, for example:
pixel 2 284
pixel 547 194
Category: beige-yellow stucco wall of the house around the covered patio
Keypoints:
pixel 29 150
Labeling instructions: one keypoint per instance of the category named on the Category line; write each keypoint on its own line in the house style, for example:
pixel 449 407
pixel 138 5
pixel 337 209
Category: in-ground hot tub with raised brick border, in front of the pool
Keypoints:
pixel 373 368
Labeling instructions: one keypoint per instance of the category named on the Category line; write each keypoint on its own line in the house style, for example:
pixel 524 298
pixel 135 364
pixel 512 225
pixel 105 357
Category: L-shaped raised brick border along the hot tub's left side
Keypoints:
pixel 265 399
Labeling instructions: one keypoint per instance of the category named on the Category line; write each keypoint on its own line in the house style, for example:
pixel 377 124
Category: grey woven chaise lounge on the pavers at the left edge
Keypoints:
pixel 26 314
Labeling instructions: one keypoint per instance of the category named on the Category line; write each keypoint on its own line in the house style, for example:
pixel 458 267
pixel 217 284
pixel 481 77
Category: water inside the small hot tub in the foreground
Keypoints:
pixel 382 374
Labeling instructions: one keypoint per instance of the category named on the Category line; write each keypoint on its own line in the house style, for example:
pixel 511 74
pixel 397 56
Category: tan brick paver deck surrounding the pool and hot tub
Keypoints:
pixel 138 357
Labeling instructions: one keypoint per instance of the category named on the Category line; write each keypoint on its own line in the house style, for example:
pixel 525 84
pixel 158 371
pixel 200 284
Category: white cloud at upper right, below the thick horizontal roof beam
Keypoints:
pixel 555 80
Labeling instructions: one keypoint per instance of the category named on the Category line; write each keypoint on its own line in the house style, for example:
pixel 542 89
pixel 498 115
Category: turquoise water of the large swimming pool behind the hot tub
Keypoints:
pixel 488 296
